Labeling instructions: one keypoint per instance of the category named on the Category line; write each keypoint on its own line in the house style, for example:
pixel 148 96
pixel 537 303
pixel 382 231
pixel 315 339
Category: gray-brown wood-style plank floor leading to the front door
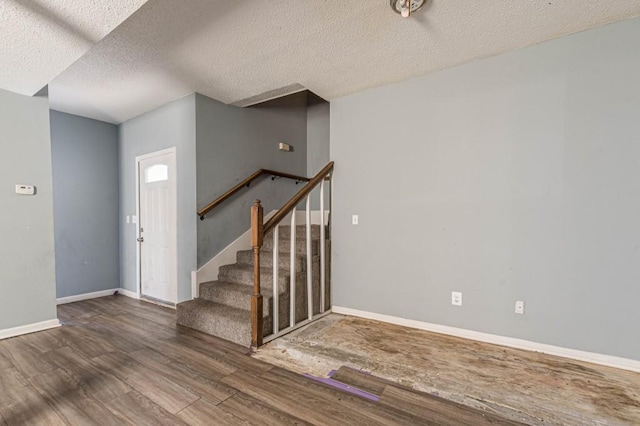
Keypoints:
pixel 119 361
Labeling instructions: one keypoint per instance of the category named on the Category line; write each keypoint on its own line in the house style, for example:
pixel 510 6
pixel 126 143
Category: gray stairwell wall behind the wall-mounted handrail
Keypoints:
pixel 234 142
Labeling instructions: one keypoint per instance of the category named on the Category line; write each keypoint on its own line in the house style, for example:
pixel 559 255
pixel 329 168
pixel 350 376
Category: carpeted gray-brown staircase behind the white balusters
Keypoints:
pixel 224 306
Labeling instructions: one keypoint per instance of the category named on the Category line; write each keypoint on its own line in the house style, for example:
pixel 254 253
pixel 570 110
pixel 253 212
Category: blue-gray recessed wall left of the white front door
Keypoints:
pixel 84 154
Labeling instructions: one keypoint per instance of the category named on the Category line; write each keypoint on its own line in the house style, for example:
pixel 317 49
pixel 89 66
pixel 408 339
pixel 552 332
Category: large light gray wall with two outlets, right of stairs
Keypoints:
pixel 512 178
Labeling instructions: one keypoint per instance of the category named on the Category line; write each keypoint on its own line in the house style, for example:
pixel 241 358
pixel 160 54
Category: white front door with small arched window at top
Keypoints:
pixel 157 226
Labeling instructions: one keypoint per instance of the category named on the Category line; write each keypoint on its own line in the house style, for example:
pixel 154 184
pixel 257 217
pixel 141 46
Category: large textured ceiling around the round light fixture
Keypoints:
pixel 237 50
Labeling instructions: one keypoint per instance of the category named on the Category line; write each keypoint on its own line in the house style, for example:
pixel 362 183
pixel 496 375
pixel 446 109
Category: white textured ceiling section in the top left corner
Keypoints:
pixel 41 38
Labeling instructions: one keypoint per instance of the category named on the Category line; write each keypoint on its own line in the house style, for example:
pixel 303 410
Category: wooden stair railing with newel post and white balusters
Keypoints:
pixel 258 231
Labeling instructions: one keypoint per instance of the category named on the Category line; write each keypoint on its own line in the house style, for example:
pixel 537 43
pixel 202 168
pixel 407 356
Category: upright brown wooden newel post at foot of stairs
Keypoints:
pixel 257 237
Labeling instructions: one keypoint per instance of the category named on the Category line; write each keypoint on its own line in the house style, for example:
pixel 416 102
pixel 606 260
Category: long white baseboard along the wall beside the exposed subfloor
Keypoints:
pixel 595 358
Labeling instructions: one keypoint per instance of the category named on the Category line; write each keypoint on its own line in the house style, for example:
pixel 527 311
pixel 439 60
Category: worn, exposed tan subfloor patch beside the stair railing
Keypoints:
pixel 521 385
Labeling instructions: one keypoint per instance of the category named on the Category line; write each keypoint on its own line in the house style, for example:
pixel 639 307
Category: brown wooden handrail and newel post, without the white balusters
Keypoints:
pixel 258 231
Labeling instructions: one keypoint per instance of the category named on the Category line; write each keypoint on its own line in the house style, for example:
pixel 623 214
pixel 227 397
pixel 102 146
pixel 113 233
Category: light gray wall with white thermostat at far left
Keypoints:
pixel 27 262
